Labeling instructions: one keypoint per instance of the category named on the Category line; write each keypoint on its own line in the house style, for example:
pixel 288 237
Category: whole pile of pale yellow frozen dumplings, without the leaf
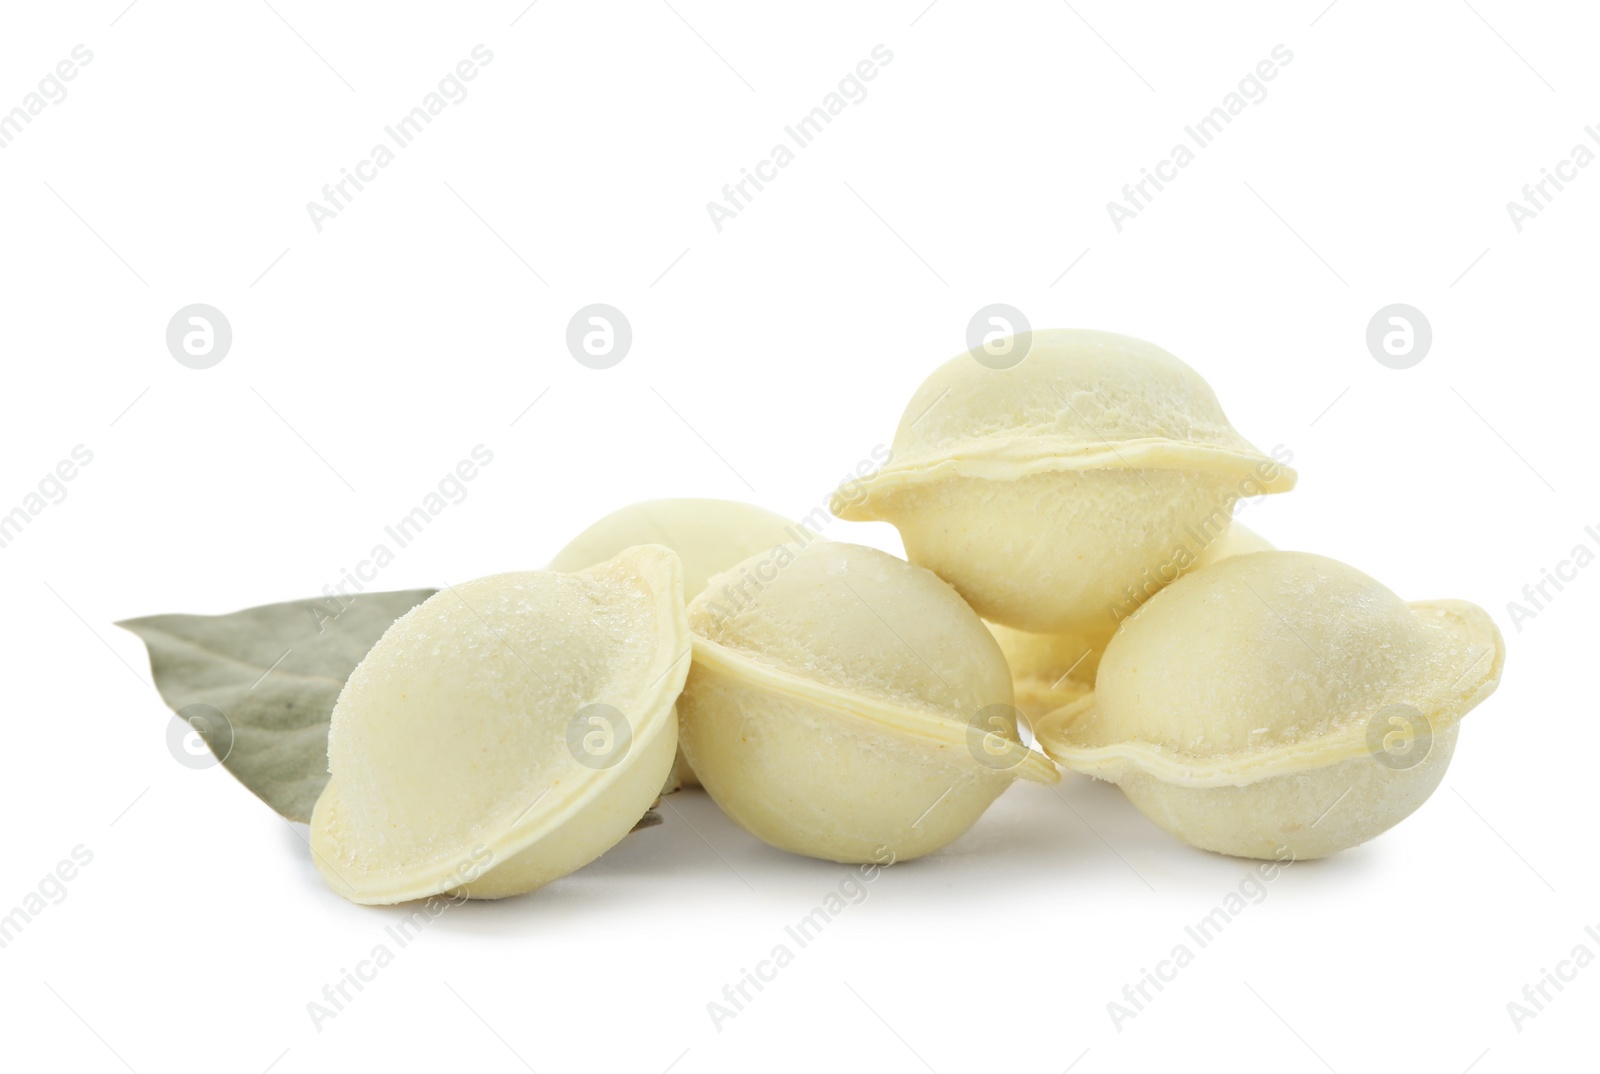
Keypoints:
pixel 1073 569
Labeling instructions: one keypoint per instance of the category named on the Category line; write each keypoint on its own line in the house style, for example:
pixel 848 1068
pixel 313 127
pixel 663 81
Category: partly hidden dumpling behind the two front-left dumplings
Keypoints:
pixel 710 537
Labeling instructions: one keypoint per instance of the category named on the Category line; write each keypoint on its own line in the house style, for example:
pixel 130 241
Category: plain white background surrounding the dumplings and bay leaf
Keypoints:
pixel 767 361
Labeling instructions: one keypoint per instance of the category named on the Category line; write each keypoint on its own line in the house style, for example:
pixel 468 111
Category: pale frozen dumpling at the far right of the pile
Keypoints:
pixel 1281 705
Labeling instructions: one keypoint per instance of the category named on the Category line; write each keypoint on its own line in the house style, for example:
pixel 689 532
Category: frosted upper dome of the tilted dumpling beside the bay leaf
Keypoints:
pixel 457 723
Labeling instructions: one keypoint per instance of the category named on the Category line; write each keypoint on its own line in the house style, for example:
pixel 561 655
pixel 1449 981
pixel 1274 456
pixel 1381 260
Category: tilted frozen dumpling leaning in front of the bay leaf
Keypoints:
pixel 465 753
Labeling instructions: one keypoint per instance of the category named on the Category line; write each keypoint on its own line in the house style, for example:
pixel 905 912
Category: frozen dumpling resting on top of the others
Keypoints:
pixel 1049 492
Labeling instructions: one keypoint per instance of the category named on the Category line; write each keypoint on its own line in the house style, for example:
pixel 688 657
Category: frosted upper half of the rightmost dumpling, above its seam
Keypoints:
pixel 1265 651
